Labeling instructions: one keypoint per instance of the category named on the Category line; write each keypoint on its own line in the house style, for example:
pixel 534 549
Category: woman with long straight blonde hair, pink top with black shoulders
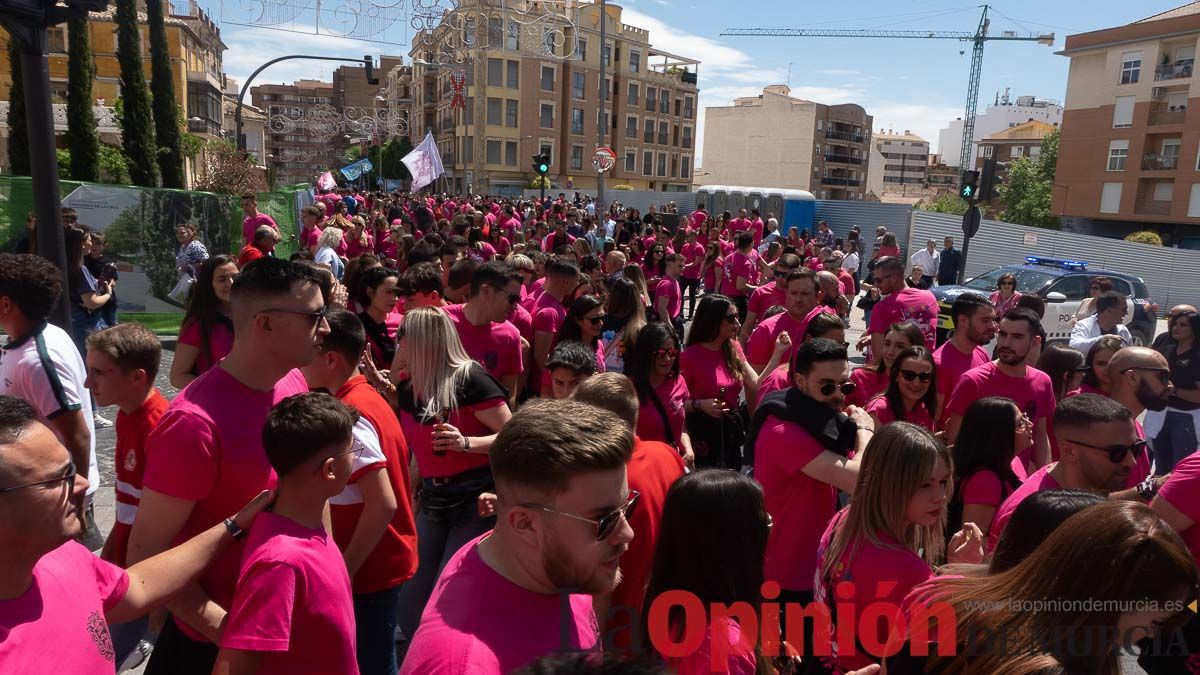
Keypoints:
pixel 451 410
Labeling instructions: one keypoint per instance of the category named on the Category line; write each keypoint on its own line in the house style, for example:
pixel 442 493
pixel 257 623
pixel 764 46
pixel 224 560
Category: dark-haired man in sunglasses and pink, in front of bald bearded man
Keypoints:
pixel 1097 441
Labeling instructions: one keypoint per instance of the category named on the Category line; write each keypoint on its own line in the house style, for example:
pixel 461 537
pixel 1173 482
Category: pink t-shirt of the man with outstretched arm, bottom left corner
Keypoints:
pixel 58 624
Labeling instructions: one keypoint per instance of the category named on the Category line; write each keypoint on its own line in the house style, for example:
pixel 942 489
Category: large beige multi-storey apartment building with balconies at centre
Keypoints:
pixel 527 92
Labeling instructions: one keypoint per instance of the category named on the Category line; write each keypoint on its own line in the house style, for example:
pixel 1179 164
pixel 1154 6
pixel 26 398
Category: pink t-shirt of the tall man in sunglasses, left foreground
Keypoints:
pixel 208 449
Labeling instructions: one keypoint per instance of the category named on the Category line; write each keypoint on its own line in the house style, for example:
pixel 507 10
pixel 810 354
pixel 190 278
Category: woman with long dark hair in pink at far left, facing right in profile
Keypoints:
pixel 206 336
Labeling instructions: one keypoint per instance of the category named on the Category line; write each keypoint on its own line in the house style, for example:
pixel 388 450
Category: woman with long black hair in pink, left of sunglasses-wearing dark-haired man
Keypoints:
pixel 993 431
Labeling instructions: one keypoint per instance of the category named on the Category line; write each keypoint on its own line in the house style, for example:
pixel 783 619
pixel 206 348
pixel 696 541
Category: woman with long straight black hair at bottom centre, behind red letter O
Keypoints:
pixel 722 516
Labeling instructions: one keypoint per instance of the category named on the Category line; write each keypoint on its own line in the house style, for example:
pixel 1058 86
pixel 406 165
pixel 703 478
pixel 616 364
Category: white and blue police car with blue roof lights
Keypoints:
pixel 1063 285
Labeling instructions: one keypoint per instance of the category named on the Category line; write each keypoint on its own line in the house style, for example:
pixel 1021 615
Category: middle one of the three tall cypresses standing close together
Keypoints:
pixel 137 121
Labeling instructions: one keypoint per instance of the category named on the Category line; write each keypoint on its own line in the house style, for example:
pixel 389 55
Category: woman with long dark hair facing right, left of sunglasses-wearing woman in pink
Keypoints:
pixel 663 395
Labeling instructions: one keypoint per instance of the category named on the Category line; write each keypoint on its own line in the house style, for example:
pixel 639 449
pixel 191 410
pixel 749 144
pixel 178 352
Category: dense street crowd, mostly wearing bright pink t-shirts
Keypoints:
pixel 493 435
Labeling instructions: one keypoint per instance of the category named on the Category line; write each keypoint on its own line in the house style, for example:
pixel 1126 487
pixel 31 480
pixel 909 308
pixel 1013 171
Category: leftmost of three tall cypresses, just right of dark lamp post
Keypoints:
pixel 82 136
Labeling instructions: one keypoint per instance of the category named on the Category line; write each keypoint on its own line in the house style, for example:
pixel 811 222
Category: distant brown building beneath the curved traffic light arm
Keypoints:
pixel 298 147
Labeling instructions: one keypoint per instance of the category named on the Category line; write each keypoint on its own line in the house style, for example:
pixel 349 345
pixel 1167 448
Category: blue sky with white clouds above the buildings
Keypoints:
pixel 907 85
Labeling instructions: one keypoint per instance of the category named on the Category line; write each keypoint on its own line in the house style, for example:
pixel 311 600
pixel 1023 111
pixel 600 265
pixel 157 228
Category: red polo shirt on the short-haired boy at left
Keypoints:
pixel 130 458
